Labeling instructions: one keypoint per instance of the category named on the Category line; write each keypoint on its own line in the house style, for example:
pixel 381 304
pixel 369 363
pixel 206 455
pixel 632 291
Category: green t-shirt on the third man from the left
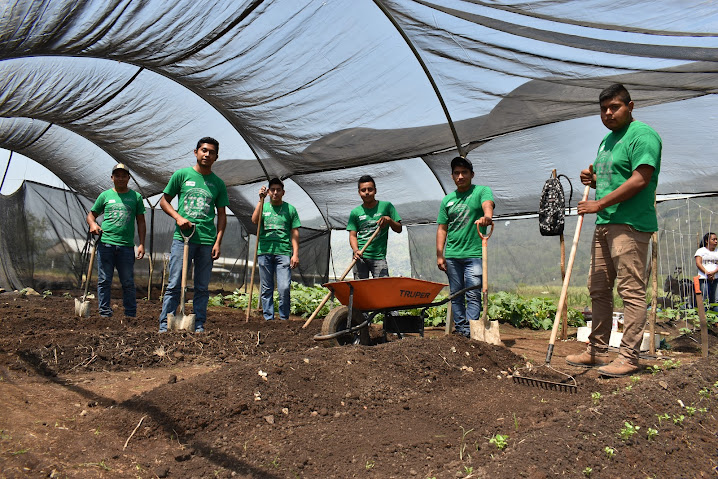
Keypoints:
pixel 275 235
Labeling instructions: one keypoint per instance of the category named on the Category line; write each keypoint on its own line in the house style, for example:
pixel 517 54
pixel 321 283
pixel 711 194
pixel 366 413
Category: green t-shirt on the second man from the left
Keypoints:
pixel 199 195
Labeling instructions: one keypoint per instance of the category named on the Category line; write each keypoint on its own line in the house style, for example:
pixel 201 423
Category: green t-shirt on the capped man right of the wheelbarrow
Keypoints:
pixel 459 211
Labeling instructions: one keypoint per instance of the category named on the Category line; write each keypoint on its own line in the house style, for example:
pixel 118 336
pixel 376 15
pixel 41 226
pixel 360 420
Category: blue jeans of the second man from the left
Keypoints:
pixel 201 256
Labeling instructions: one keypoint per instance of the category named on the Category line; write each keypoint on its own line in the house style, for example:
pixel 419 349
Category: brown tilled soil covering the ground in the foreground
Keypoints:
pixel 113 398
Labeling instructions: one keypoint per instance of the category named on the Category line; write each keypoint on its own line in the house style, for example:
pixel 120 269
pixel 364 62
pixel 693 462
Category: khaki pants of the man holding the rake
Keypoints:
pixel 619 253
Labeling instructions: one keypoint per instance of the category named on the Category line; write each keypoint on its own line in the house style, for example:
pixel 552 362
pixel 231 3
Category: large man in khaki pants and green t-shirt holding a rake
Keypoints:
pixel 625 175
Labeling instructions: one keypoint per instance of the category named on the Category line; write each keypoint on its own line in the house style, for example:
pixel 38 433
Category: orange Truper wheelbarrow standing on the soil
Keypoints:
pixel 363 299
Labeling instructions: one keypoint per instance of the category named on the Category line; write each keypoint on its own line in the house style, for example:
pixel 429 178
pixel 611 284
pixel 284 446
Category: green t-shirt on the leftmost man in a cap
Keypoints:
pixel 120 210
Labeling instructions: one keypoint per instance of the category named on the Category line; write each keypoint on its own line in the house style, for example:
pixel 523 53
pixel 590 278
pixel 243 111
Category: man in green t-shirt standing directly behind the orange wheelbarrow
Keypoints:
pixel 363 222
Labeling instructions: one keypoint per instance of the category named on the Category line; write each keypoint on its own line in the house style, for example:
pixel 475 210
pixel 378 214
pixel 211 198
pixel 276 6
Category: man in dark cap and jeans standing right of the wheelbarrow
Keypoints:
pixel 458 244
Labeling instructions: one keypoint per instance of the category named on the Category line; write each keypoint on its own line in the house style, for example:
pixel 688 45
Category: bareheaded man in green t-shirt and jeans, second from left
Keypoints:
pixel 200 193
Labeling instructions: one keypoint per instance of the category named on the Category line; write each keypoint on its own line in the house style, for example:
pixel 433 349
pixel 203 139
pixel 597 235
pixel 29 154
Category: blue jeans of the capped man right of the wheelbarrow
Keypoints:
pixel 464 273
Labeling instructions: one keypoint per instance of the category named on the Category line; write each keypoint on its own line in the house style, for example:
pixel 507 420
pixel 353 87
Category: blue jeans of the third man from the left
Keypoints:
pixel 269 265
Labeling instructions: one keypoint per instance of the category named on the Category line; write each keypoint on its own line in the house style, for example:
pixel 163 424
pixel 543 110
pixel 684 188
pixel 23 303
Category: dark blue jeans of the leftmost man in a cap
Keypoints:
pixel 110 257
